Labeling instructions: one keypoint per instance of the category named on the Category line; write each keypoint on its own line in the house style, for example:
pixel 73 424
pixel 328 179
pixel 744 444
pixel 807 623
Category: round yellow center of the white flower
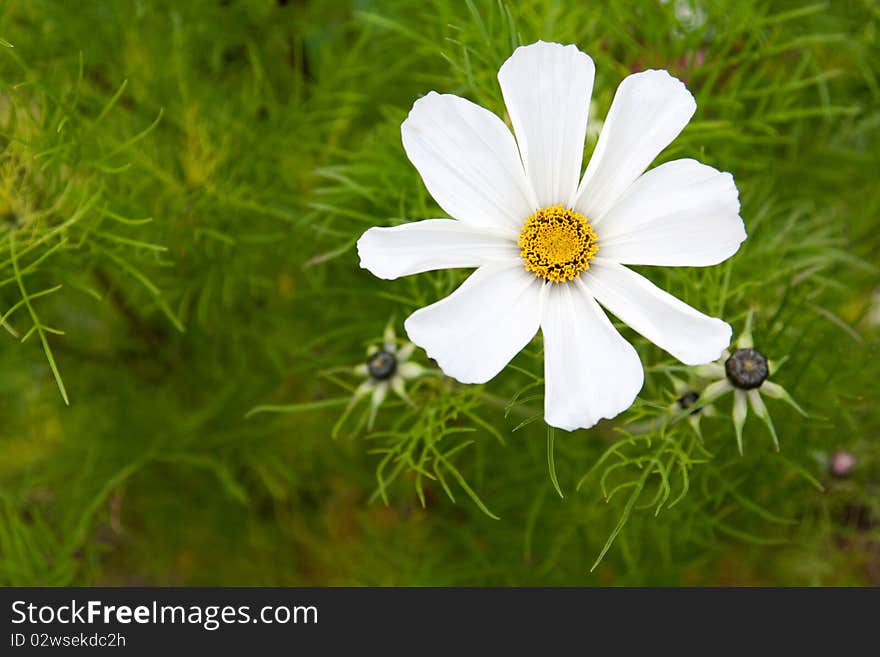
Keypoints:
pixel 557 244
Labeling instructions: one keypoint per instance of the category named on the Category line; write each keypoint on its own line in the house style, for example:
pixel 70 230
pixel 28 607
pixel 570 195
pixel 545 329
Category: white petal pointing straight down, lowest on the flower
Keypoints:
pixel 590 371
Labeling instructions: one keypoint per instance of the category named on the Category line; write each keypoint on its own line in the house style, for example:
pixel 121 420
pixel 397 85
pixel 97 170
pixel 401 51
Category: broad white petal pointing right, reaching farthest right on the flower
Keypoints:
pixel 682 213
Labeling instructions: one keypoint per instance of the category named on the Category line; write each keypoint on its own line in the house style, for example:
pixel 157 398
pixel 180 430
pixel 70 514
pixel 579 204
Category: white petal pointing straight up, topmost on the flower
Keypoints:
pixel 547 89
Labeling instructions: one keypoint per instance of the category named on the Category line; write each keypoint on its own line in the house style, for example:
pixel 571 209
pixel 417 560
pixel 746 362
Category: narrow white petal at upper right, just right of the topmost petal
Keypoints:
pixel 648 111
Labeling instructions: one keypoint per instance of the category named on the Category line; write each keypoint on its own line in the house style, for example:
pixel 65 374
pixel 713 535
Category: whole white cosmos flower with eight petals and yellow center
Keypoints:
pixel 548 244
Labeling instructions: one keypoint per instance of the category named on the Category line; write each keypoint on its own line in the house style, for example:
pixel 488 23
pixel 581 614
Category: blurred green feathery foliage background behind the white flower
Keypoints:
pixel 194 175
